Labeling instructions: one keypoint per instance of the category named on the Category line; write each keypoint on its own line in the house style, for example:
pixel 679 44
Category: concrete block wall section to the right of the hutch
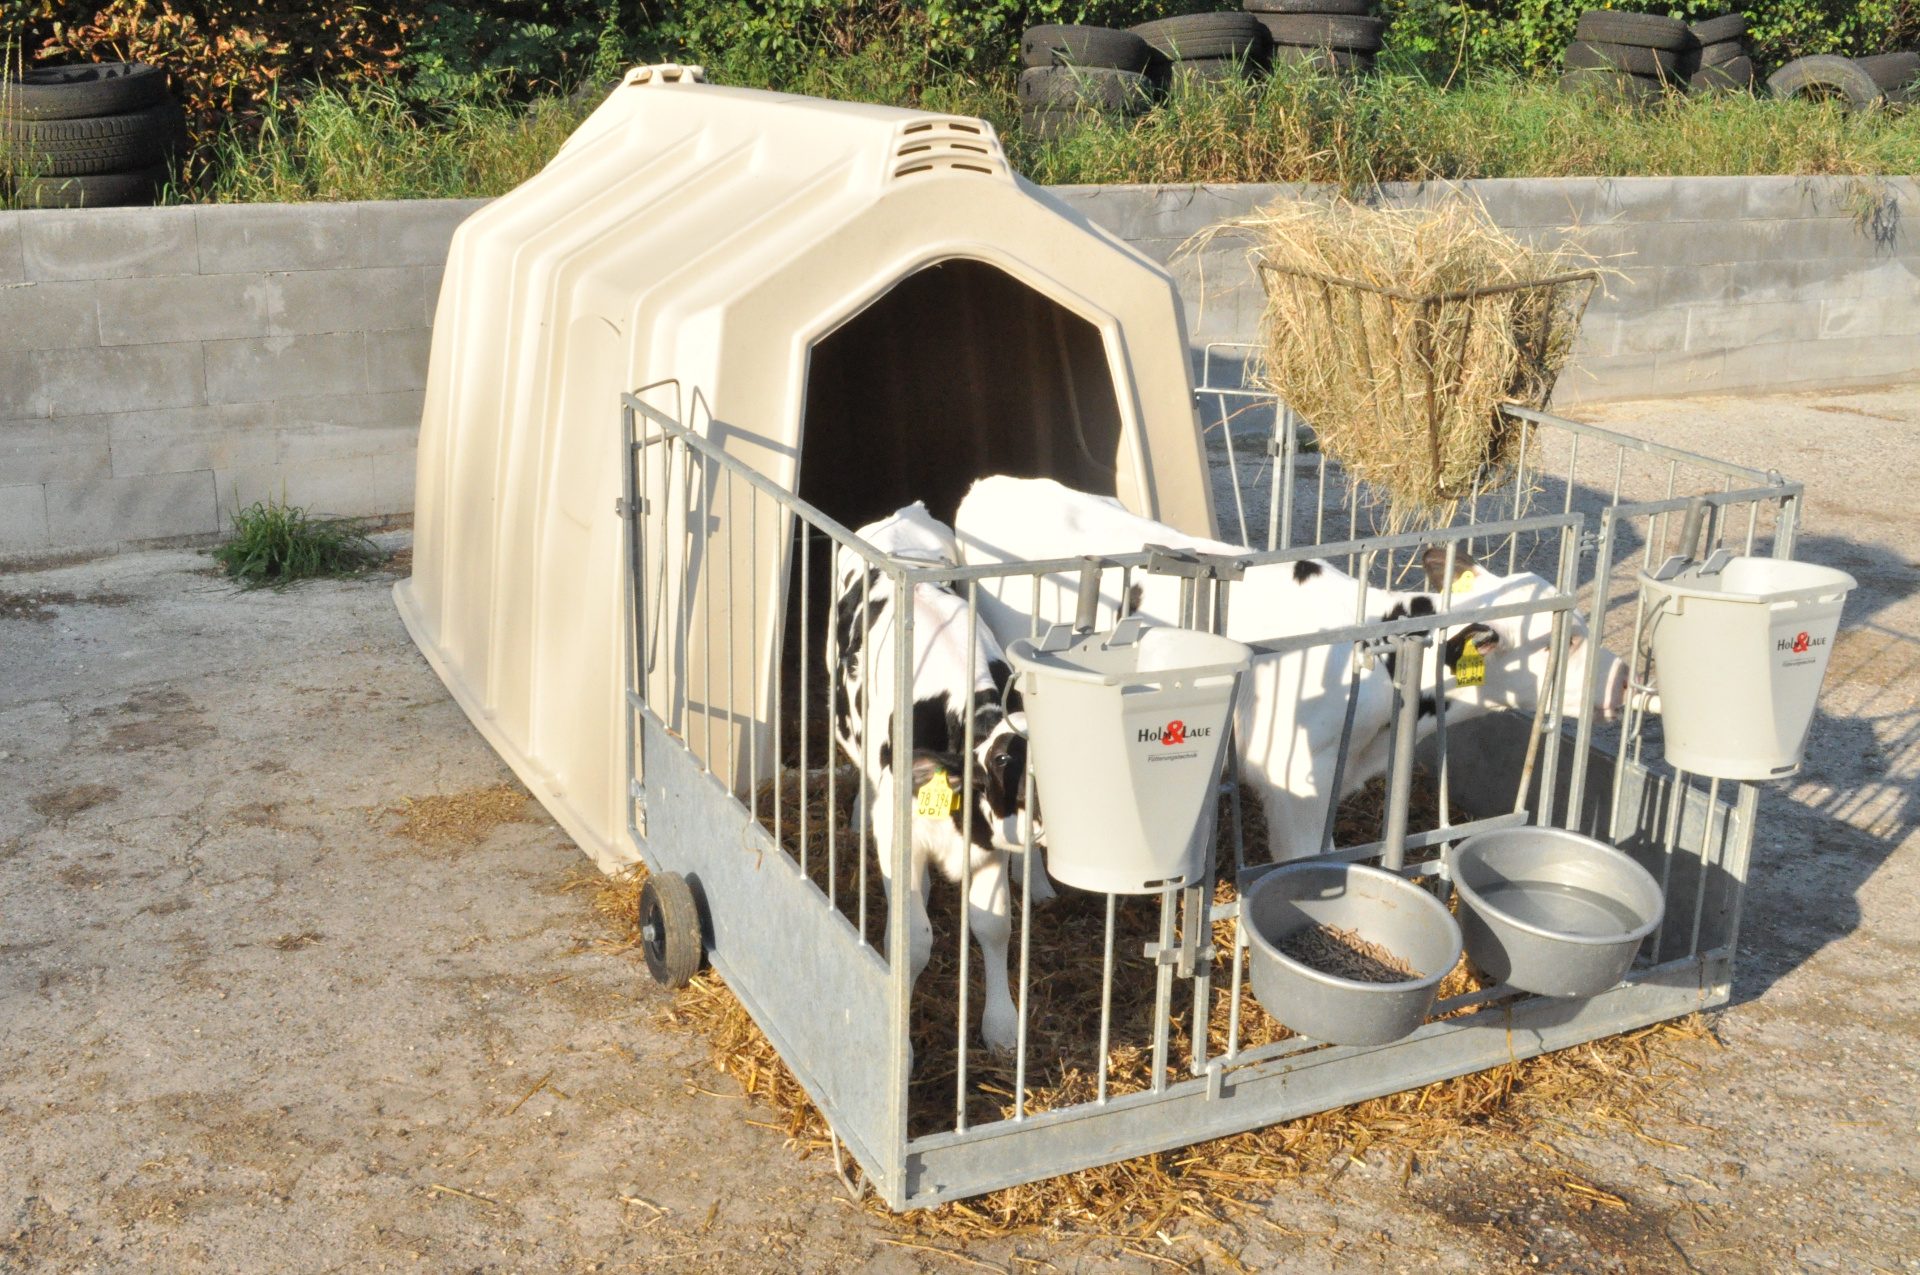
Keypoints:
pixel 1719 283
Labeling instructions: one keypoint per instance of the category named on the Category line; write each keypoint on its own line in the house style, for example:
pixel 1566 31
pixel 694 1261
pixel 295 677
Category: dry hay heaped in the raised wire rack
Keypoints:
pixel 1401 377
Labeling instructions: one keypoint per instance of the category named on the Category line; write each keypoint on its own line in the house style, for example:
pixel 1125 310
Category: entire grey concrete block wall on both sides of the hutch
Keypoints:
pixel 158 366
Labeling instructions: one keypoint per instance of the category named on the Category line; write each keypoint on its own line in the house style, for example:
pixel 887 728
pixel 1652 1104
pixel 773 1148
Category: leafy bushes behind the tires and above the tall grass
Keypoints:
pixel 233 57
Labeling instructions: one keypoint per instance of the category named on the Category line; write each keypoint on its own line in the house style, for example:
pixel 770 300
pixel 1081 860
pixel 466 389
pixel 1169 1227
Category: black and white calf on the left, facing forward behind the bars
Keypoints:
pixel 946 648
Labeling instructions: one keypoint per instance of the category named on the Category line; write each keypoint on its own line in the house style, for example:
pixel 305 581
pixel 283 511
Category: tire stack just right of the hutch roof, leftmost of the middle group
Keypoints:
pixel 1072 74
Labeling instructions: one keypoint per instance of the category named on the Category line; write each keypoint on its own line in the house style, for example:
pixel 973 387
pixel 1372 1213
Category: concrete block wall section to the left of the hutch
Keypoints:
pixel 162 364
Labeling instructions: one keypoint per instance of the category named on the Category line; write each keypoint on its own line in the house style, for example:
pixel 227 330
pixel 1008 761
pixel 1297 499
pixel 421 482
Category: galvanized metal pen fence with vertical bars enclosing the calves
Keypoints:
pixel 738 784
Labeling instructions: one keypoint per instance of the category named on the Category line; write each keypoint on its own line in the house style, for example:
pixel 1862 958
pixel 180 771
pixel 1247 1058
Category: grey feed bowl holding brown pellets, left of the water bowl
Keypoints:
pixel 1383 909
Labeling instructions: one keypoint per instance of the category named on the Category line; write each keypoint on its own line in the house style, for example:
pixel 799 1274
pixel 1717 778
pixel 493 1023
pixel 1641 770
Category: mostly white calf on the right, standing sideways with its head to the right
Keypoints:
pixel 1291 710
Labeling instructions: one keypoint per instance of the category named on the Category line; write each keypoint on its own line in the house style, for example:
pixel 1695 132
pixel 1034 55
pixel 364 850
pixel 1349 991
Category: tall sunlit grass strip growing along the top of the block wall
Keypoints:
pixel 1282 130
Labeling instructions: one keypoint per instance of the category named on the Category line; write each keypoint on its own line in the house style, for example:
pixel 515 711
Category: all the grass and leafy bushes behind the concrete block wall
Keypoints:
pixel 333 101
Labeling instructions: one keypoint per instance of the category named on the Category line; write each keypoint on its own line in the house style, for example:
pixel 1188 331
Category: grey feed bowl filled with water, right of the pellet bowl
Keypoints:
pixel 1550 911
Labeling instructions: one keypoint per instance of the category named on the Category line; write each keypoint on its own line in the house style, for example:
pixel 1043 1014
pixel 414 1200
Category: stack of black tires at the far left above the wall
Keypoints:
pixel 89 135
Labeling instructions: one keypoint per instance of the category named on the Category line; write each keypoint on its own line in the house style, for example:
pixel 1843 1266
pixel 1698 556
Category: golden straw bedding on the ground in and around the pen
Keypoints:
pixel 1205 1184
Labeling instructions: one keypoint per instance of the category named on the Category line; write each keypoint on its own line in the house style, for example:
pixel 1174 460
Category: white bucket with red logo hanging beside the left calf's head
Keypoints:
pixel 1128 734
